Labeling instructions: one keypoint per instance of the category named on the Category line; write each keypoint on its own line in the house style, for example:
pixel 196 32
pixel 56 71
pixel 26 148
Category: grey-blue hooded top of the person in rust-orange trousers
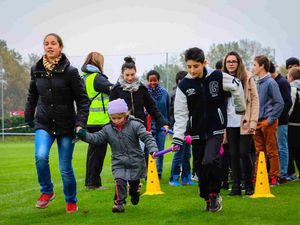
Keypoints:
pixel 270 101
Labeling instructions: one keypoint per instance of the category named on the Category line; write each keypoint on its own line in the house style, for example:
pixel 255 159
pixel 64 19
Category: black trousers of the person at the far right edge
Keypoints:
pixel 294 149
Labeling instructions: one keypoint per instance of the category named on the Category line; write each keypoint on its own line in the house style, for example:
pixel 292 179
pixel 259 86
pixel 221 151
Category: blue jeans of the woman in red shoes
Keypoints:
pixel 43 143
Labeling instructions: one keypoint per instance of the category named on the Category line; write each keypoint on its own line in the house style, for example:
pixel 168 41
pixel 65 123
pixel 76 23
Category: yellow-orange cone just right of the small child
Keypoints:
pixel 153 185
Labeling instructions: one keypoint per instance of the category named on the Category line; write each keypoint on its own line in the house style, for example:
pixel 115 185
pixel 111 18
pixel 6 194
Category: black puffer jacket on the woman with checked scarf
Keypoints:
pixel 50 101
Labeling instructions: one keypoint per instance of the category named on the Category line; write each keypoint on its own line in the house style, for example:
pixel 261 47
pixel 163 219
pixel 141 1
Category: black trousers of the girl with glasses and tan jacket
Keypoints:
pixel 240 153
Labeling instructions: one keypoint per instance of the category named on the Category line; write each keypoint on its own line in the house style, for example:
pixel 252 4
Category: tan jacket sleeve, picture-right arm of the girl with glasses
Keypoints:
pixel 254 104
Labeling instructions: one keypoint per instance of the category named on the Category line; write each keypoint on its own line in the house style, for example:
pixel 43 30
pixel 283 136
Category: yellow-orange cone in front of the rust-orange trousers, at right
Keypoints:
pixel 262 186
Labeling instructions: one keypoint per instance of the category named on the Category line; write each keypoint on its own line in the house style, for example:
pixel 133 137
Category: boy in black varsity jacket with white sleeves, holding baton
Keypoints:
pixel 201 101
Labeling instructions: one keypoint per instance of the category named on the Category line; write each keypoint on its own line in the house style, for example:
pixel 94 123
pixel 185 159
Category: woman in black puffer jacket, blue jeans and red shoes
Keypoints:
pixel 54 87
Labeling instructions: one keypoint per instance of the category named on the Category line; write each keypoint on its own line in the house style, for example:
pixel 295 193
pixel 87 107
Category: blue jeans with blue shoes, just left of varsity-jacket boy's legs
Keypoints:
pixel 181 159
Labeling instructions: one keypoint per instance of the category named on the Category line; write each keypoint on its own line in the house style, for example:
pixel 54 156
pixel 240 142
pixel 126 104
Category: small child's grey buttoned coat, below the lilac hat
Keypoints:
pixel 128 160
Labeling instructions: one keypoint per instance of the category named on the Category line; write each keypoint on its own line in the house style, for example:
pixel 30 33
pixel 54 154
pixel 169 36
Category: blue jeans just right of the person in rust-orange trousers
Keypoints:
pixel 282 142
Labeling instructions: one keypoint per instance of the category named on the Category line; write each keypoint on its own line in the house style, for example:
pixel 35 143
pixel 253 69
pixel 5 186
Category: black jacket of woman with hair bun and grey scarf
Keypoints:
pixel 136 102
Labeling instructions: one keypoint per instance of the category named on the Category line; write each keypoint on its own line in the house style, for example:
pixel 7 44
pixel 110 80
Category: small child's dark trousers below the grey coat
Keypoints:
pixel 121 190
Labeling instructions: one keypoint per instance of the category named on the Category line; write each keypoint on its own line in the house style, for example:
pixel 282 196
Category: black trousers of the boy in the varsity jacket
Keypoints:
pixel 208 168
